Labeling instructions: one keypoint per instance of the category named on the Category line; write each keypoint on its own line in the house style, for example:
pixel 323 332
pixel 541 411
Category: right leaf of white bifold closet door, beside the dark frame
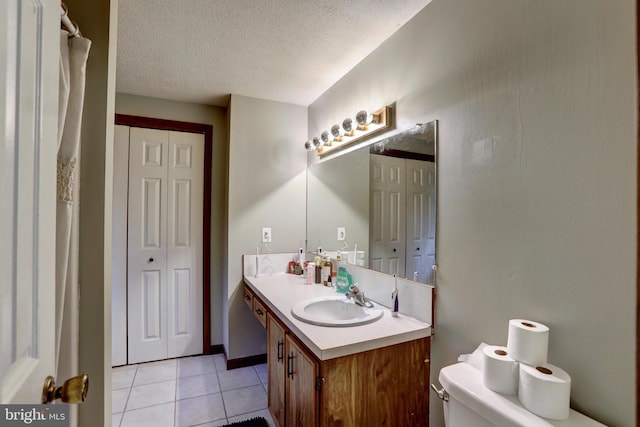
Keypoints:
pixel 184 243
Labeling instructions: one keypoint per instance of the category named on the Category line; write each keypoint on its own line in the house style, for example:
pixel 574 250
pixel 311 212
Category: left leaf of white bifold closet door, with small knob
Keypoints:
pixel 147 247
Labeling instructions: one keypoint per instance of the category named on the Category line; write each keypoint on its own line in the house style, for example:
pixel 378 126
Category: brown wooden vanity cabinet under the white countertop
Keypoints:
pixel 386 386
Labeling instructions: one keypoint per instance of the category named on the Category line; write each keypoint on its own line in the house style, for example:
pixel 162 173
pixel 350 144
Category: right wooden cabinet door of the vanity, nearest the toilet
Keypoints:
pixel 302 372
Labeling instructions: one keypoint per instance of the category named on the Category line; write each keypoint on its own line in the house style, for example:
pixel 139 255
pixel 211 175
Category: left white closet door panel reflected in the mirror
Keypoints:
pixel 388 215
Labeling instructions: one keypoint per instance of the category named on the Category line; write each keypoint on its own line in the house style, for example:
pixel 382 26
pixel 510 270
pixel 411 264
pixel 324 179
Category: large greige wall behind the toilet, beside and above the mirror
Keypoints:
pixel 537 176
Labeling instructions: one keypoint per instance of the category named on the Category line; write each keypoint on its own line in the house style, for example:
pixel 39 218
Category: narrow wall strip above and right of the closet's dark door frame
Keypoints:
pixel 217 117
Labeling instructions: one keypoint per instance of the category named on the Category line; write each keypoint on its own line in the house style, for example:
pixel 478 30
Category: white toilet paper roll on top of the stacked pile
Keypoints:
pixel 528 341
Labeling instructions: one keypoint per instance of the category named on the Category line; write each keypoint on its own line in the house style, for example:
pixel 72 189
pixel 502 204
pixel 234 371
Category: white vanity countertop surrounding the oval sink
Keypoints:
pixel 281 291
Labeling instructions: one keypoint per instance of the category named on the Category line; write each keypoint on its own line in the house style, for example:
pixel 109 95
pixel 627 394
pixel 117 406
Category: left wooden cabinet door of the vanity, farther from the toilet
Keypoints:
pixel 275 363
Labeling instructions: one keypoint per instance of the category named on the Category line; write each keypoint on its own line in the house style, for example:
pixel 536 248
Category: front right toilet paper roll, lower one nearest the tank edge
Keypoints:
pixel 545 390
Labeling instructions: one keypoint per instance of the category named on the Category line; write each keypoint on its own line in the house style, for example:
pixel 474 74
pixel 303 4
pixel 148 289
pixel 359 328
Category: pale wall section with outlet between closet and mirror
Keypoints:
pixel 267 188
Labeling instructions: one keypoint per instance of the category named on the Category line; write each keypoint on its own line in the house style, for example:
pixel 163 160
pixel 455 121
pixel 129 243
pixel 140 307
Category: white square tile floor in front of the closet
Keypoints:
pixel 192 391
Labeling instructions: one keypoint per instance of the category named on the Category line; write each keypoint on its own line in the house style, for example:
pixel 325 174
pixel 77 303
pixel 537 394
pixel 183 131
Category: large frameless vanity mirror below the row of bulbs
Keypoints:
pixel 384 198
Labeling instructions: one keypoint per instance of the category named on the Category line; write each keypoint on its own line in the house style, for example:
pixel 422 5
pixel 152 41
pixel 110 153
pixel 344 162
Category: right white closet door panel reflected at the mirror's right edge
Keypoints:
pixel 420 219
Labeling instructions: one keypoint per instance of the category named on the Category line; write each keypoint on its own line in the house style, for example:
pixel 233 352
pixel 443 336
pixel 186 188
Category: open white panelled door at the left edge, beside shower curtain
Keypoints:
pixel 28 129
